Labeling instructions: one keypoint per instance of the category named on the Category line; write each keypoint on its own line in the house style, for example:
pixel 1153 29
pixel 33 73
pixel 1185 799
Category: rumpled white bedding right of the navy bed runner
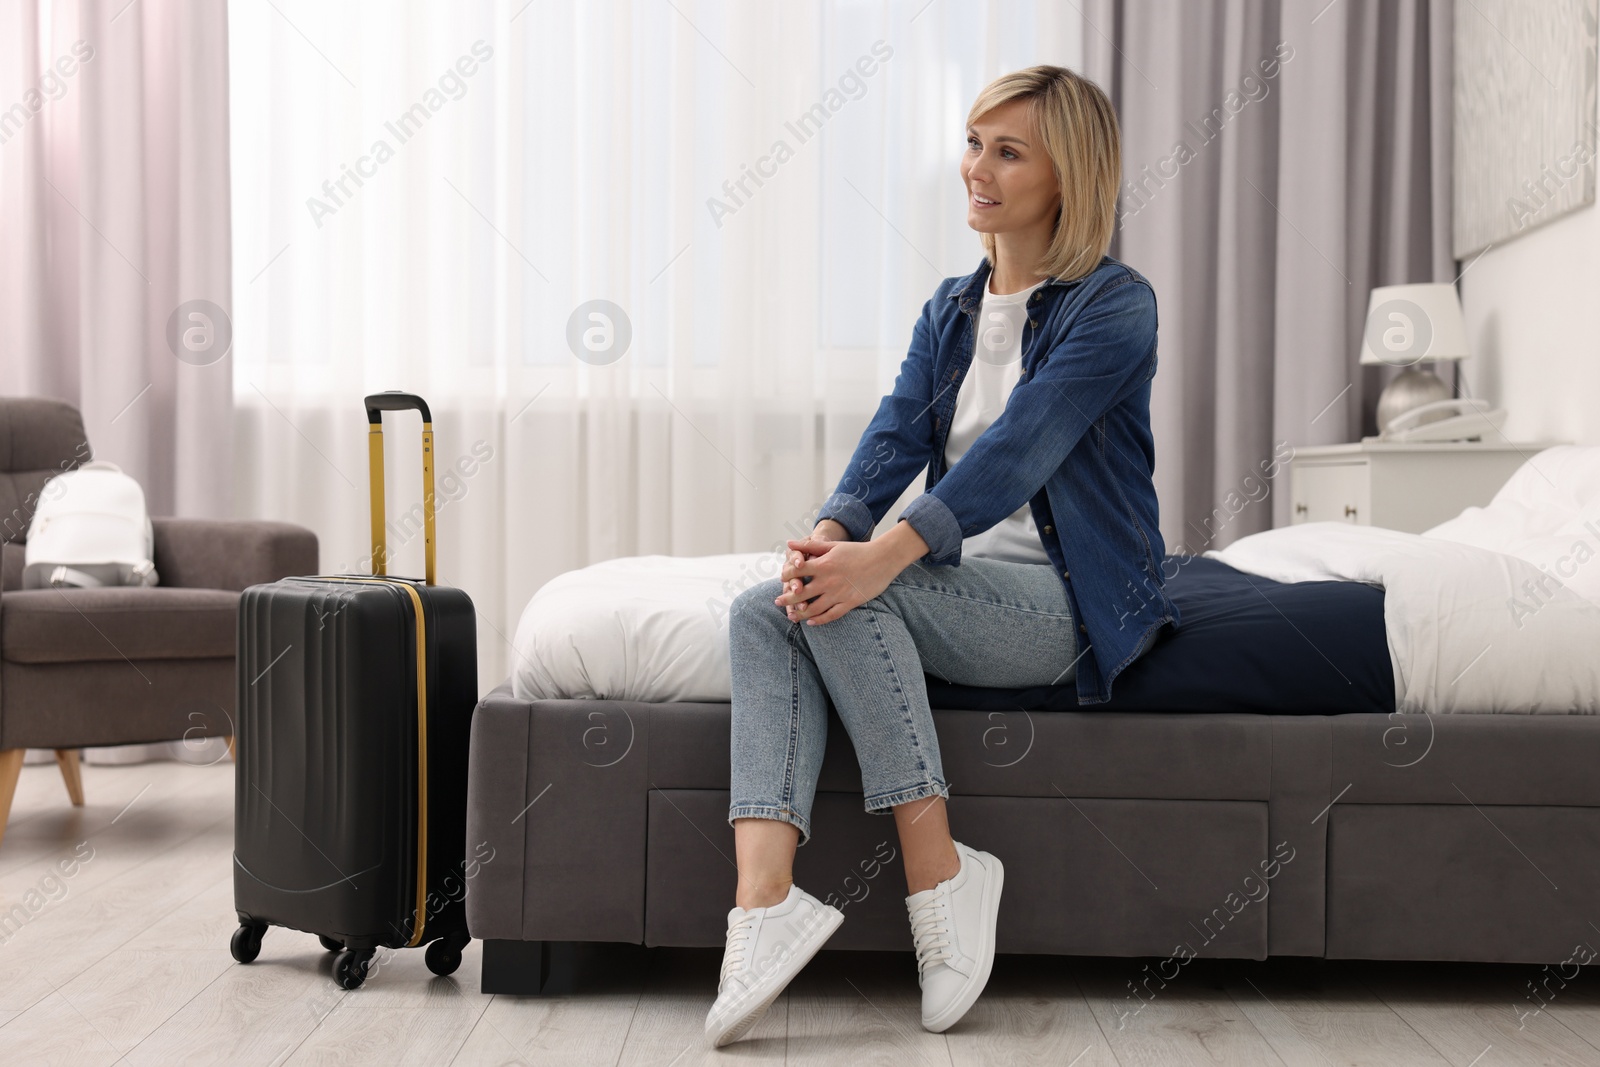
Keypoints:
pixel 1497 610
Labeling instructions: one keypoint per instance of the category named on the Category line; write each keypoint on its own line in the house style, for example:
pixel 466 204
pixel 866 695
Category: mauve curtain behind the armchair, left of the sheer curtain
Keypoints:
pixel 114 215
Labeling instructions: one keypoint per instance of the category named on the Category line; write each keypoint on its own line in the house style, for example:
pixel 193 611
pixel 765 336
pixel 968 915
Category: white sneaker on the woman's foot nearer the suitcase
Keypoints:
pixel 767 948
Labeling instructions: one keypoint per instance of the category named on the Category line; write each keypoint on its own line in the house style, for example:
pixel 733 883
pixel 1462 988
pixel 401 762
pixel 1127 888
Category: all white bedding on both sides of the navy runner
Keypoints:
pixel 1497 610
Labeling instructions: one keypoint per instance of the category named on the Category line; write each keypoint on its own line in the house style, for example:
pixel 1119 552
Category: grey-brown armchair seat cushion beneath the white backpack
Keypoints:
pixel 57 626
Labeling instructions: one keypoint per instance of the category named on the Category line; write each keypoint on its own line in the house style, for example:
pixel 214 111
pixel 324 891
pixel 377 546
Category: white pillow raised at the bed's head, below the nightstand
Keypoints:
pixel 1548 514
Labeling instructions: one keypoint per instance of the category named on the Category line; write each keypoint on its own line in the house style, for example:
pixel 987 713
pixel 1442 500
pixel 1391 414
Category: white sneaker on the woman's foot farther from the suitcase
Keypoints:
pixel 954 929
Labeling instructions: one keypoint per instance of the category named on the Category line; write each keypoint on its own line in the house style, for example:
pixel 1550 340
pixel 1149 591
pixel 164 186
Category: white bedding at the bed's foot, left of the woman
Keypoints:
pixel 642 628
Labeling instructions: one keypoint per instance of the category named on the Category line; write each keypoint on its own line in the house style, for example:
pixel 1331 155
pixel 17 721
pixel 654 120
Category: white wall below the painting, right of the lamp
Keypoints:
pixel 1534 322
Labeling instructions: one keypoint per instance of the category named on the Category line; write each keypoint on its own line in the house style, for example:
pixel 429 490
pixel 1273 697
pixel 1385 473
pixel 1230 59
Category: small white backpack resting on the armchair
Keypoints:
pixel 90 529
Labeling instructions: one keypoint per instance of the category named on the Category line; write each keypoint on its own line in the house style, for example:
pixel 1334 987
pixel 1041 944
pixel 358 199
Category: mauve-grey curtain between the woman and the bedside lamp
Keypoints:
pixel 1281 159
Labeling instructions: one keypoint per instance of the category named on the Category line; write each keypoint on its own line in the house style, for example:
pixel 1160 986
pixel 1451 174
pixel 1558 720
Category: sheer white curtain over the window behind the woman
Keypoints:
pixel 433 198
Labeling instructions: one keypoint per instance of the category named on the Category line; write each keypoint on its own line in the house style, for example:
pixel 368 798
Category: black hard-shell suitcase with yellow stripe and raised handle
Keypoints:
pixel 356 698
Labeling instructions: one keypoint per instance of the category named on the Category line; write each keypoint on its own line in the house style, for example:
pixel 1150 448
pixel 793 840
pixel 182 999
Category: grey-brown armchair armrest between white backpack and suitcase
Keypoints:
pixel 218 554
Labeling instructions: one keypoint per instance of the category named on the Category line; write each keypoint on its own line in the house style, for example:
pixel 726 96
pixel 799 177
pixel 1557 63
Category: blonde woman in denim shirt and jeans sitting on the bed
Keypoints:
pixel 1031 559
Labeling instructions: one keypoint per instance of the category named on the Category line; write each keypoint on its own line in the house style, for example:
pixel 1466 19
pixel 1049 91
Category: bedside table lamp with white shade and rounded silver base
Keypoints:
pixel 1410 326
